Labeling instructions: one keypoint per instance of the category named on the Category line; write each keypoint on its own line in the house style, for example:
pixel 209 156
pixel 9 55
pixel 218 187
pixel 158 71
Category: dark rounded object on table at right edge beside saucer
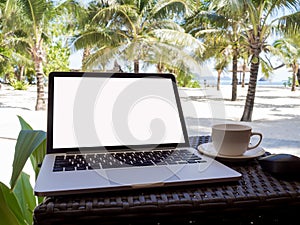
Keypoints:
pixel 281 164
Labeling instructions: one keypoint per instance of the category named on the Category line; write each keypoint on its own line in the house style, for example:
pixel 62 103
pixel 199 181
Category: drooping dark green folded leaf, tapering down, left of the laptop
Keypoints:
pixel 28 141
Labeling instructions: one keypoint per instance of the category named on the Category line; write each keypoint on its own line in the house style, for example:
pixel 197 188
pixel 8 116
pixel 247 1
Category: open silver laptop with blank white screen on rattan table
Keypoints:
pixel 119 131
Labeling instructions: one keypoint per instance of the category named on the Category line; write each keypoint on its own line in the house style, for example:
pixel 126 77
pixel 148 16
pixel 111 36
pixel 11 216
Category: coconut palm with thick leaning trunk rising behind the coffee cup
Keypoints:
pixel 259 20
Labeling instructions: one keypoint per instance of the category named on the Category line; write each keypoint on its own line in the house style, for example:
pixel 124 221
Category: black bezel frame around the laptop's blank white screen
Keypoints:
pixel 53 75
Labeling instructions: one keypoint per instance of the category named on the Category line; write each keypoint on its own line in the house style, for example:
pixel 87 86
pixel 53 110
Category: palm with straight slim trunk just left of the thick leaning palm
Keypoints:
pixel 221 21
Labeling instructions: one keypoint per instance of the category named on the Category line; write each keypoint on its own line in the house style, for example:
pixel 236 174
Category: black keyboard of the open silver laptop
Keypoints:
pixel 118 160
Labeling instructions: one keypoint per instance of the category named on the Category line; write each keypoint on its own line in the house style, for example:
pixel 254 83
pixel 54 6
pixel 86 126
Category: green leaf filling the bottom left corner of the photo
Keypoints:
pixel 10 211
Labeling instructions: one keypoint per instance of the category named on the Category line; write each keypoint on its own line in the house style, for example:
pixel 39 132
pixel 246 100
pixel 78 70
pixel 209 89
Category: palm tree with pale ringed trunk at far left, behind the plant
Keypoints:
pixel 29 22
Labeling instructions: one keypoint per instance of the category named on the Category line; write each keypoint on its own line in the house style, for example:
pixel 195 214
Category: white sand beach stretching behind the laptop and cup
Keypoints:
pixel 276 115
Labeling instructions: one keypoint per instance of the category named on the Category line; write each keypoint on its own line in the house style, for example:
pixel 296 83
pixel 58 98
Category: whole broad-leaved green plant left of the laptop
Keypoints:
pixel 18 201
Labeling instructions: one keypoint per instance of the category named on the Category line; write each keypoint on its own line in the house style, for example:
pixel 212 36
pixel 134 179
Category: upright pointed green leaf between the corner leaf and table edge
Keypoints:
pixel 25 196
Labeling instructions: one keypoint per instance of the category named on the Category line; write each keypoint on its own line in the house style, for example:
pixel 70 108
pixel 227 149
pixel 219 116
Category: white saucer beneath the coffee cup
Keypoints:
pixel 208 149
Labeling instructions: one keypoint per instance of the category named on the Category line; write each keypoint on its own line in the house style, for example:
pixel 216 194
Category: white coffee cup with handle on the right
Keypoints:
pixel 233 139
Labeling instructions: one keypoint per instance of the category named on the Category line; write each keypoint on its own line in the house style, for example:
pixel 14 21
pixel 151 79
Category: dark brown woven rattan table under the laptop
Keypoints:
pixel 258 198
